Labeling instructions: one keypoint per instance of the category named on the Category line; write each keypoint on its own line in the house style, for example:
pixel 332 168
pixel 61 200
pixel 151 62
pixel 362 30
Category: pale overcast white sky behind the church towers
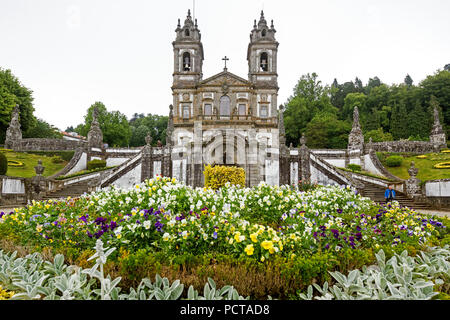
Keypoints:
pixel 73 53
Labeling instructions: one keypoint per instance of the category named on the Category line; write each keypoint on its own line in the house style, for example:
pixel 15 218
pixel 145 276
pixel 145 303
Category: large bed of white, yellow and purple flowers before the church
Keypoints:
pixel 300 235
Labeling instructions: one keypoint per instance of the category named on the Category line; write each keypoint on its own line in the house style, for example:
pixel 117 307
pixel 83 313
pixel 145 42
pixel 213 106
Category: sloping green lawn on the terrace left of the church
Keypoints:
pixel 30 161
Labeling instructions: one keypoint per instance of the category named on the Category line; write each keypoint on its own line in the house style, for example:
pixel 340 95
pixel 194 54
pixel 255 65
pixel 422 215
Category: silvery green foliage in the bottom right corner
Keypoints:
pixel 400 278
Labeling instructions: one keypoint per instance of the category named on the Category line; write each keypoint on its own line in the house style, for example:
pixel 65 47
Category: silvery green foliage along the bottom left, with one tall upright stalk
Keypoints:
pixel 33 278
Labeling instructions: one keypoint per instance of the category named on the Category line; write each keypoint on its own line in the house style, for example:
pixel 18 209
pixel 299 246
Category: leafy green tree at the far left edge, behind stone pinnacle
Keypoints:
pixel 12 92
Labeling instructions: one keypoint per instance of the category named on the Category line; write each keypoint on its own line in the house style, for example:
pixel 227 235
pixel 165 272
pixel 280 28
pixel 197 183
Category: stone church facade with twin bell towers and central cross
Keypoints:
pixel 225 119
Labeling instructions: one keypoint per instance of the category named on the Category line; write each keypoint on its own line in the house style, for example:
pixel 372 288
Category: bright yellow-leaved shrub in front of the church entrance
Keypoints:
pixel 217 176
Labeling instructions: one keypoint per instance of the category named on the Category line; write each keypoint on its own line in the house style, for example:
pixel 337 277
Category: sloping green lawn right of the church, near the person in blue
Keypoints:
pixel 425 166
